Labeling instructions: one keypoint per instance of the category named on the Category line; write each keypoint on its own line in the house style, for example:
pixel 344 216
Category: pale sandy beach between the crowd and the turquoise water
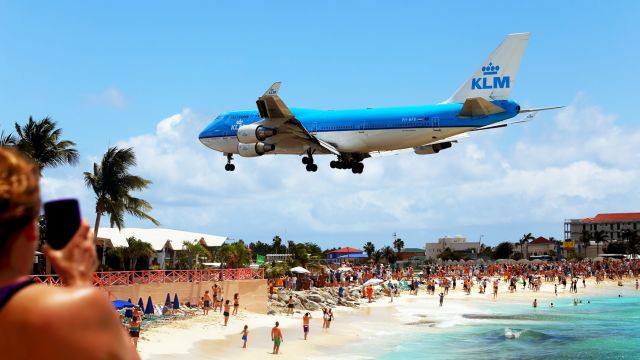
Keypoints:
pixel 205 337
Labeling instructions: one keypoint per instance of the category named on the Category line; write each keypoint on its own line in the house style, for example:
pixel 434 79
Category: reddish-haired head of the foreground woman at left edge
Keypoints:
pixel 19 209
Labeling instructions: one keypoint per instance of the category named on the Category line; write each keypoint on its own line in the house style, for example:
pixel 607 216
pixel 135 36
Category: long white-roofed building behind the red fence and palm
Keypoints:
pixel 166 242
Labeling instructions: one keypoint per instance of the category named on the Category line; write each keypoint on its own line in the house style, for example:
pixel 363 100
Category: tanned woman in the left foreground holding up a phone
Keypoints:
pixel 76 321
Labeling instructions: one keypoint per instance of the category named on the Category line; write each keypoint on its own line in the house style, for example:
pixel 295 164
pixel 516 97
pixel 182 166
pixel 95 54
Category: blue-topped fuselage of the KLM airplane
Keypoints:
pixel 361 130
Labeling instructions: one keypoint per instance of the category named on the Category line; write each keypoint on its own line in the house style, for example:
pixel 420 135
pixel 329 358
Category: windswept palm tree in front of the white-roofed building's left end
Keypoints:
pixel 112 184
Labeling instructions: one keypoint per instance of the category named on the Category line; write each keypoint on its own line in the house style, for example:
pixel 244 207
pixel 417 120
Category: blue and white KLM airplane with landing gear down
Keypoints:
pixel 481 103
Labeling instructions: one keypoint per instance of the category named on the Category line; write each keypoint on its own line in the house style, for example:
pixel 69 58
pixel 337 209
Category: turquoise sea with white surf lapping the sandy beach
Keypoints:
pixel 598 328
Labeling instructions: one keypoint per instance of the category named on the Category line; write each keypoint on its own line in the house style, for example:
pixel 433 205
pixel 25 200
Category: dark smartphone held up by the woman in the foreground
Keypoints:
pixel 62 220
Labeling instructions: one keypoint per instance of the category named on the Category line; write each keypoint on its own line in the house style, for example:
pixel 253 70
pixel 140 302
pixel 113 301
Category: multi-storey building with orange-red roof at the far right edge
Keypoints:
pixel 612 224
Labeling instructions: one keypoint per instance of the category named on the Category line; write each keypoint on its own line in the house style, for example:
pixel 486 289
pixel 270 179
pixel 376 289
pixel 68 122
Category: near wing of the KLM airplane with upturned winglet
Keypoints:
pixel 276 115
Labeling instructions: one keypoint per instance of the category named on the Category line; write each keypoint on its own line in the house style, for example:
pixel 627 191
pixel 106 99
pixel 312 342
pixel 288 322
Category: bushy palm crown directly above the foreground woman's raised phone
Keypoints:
pixel 40 140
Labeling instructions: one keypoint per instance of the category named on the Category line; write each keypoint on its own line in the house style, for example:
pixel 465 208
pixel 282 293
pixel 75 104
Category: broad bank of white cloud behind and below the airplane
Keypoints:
pixel 573 163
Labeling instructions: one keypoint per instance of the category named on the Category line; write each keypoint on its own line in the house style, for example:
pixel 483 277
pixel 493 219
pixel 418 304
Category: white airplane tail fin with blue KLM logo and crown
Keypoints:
pixel 495 78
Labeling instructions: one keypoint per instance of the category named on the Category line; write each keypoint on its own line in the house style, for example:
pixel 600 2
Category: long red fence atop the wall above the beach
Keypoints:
pixel 112 278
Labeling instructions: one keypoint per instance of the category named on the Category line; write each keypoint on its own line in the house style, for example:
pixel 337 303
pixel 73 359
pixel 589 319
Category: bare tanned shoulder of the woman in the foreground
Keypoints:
pixel 76 320
